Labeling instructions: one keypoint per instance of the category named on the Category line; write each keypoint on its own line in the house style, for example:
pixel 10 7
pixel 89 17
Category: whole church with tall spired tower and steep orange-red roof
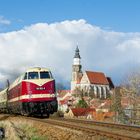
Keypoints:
pixel 89 82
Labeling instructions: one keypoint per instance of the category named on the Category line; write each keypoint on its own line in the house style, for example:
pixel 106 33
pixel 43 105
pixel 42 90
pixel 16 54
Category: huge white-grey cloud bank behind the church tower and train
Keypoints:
pixel 53 46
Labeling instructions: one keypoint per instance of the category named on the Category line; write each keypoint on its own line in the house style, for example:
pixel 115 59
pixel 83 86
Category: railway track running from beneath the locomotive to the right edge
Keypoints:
pixel 106 130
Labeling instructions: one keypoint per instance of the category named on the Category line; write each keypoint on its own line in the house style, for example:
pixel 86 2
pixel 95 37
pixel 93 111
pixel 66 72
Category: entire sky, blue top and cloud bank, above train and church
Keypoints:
pixel 46 32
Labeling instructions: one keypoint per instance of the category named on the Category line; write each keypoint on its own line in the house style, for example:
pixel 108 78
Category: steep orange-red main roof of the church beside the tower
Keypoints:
pixel 97 78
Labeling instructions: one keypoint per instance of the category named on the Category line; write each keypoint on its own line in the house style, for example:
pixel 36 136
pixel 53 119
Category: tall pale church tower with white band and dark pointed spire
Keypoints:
pixel 76 69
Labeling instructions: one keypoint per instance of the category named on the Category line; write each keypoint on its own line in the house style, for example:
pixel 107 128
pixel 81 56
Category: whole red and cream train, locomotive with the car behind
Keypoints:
pixel 32 93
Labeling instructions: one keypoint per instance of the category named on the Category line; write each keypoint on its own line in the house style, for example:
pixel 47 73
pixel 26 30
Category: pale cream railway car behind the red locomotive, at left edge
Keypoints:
pixel 3 100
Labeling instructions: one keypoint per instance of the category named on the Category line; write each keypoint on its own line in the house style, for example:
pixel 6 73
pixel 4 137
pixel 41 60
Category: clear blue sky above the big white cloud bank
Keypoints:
pixel 118 15
